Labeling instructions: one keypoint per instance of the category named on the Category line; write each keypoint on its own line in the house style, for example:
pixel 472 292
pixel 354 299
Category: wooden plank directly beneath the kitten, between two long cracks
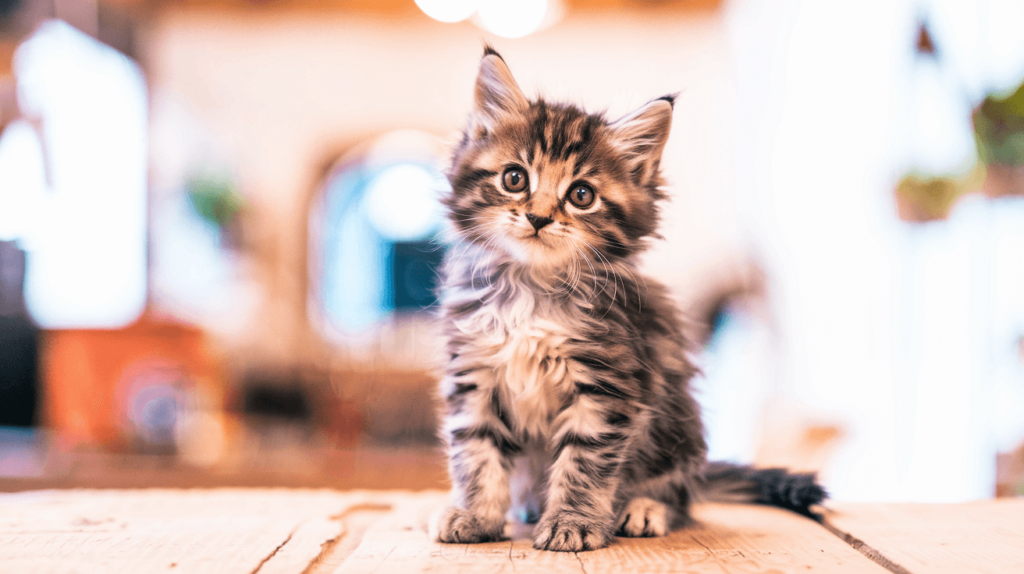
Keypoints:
pixel 727 539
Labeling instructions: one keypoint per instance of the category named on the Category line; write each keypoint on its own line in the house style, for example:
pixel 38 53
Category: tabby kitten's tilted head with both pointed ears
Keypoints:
pixel 548 184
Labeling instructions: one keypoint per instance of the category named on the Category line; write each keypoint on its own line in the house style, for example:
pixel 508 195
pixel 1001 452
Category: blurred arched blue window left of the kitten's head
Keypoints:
pixel 376 241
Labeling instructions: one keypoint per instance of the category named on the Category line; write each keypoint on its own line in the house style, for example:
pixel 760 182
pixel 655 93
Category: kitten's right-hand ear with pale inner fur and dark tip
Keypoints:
pixel 643 136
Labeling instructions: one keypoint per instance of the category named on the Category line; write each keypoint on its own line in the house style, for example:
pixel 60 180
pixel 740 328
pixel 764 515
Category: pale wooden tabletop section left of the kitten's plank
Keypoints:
pixel 216 532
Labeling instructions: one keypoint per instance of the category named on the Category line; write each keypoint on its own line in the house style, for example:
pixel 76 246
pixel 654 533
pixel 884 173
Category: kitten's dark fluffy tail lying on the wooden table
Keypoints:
pixel 778 488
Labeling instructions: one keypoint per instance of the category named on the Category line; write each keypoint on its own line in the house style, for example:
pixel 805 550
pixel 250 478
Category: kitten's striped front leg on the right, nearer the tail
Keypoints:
pixel 591 435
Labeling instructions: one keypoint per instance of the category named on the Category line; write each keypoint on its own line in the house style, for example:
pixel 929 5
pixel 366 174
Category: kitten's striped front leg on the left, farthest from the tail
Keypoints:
pixel 481 453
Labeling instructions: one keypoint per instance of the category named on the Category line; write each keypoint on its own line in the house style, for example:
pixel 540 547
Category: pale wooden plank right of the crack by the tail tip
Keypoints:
pixel 977 538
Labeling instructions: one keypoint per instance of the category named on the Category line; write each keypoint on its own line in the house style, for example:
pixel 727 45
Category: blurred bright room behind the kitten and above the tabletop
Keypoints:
pixel 220 231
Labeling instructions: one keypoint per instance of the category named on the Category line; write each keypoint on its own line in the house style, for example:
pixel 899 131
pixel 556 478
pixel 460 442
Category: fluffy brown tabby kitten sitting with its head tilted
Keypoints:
pixel 567 394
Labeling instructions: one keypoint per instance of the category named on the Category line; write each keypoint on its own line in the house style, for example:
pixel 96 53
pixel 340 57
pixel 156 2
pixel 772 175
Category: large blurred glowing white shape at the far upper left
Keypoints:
pixel 87 236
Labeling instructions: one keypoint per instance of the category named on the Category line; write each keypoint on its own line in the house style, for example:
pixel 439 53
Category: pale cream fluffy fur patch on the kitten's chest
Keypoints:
pixel 523 340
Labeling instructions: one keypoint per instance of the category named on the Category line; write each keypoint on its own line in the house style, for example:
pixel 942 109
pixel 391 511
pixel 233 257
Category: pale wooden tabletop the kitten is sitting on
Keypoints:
pixel 267 532
